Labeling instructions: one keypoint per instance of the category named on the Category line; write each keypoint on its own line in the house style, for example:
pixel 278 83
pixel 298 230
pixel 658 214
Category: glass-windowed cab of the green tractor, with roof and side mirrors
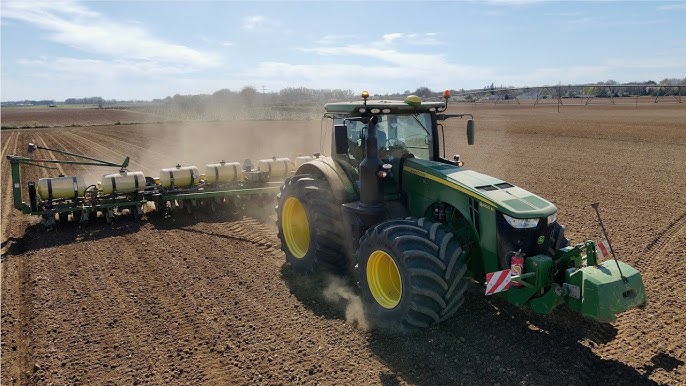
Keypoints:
pixel 402 130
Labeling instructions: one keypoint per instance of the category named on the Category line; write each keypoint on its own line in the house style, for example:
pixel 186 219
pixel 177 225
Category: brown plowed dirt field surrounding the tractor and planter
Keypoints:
pixel 206 298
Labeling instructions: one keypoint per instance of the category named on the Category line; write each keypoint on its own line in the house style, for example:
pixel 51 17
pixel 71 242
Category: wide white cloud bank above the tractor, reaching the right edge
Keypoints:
pixel 390 67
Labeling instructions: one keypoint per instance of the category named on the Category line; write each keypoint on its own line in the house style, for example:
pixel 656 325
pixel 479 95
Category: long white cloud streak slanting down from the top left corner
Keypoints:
pixel 78 27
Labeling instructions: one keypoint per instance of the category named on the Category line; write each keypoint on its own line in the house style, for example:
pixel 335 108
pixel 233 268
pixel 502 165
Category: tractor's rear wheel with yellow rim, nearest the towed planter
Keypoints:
pixel 309 223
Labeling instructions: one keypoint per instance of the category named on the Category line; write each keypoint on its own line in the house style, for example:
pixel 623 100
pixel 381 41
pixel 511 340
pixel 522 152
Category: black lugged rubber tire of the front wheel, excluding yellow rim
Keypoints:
pixel 434 263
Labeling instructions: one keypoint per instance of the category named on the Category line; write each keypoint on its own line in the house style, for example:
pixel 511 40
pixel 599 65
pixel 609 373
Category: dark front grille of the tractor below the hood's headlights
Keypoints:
pixel 511 240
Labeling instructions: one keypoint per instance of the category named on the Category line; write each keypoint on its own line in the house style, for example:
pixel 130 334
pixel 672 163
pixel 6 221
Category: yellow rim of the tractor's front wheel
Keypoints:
pixel 384 279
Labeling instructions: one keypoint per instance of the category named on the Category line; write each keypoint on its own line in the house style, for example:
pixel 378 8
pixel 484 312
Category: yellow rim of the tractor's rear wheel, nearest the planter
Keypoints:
pixel 296 228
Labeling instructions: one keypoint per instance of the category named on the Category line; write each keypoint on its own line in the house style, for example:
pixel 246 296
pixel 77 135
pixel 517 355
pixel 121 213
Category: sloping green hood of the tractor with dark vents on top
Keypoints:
pixel 505 197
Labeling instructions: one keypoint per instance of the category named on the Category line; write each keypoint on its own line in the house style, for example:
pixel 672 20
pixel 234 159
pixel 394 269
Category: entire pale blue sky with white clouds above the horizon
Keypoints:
pixel 153 49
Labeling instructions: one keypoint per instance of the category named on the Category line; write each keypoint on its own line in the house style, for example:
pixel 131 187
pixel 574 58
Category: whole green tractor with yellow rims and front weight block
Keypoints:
pixel 416 227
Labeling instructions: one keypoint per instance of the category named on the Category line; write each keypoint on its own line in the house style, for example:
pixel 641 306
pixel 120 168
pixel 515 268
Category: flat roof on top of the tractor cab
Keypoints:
pixel 383 106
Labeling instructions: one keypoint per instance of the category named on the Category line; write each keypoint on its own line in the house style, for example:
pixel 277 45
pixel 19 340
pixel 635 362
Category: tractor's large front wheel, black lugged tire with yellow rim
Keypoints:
pixel 411 274
